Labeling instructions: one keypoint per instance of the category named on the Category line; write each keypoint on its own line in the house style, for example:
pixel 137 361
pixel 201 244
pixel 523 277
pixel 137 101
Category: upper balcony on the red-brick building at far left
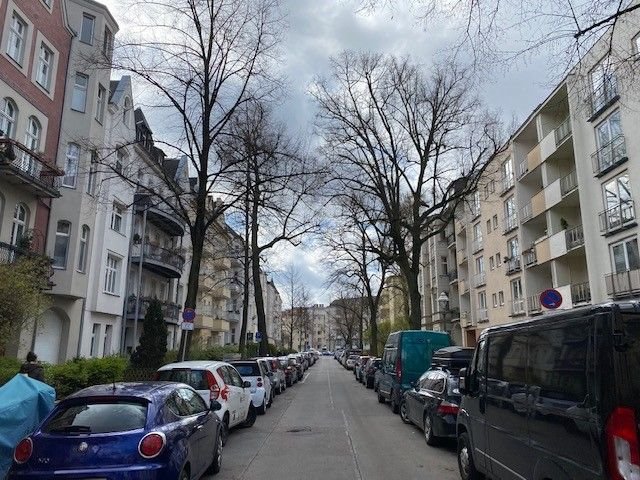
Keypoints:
pixel 20 166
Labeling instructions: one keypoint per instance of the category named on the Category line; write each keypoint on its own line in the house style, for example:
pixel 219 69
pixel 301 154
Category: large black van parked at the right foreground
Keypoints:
pixel 555 397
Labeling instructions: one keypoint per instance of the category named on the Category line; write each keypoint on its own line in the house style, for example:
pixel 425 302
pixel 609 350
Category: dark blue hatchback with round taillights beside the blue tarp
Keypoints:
pixel 151 430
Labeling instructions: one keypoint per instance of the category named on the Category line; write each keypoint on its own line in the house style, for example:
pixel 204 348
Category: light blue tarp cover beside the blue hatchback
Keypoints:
pixel 24 403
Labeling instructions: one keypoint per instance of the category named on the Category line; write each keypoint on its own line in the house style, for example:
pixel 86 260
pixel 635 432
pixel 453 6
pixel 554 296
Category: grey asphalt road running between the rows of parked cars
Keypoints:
pixel 330 427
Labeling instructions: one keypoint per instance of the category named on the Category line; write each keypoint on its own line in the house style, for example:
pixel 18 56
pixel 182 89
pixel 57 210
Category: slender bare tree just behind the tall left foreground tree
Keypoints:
pixel 281 183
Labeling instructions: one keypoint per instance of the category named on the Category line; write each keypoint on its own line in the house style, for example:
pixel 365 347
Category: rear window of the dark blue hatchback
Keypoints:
pixel 103 417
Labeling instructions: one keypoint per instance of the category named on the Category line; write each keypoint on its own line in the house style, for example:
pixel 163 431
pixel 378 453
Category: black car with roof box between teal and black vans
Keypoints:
pixel 433 403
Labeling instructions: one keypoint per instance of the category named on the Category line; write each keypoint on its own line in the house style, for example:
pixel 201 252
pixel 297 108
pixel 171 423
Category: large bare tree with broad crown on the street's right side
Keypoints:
pixel 410 145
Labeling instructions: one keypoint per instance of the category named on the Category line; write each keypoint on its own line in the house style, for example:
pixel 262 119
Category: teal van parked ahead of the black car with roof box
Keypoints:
pixel 407 355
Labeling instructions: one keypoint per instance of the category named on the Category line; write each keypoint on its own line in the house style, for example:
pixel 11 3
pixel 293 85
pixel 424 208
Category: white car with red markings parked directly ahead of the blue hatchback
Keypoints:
pixel 218 381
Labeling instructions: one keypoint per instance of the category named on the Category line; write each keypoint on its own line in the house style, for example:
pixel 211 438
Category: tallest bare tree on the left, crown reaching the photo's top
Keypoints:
pixel 198 62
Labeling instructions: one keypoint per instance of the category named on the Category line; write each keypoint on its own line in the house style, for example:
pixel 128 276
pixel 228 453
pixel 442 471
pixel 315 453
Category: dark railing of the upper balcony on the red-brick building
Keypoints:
pixel 29 164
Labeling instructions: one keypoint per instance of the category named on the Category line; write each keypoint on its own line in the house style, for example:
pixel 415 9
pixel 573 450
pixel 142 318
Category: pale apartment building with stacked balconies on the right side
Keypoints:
pixel 555 209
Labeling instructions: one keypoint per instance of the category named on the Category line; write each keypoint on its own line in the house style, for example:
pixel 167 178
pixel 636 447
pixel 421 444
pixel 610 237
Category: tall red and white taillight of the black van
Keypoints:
pixel 622 445
